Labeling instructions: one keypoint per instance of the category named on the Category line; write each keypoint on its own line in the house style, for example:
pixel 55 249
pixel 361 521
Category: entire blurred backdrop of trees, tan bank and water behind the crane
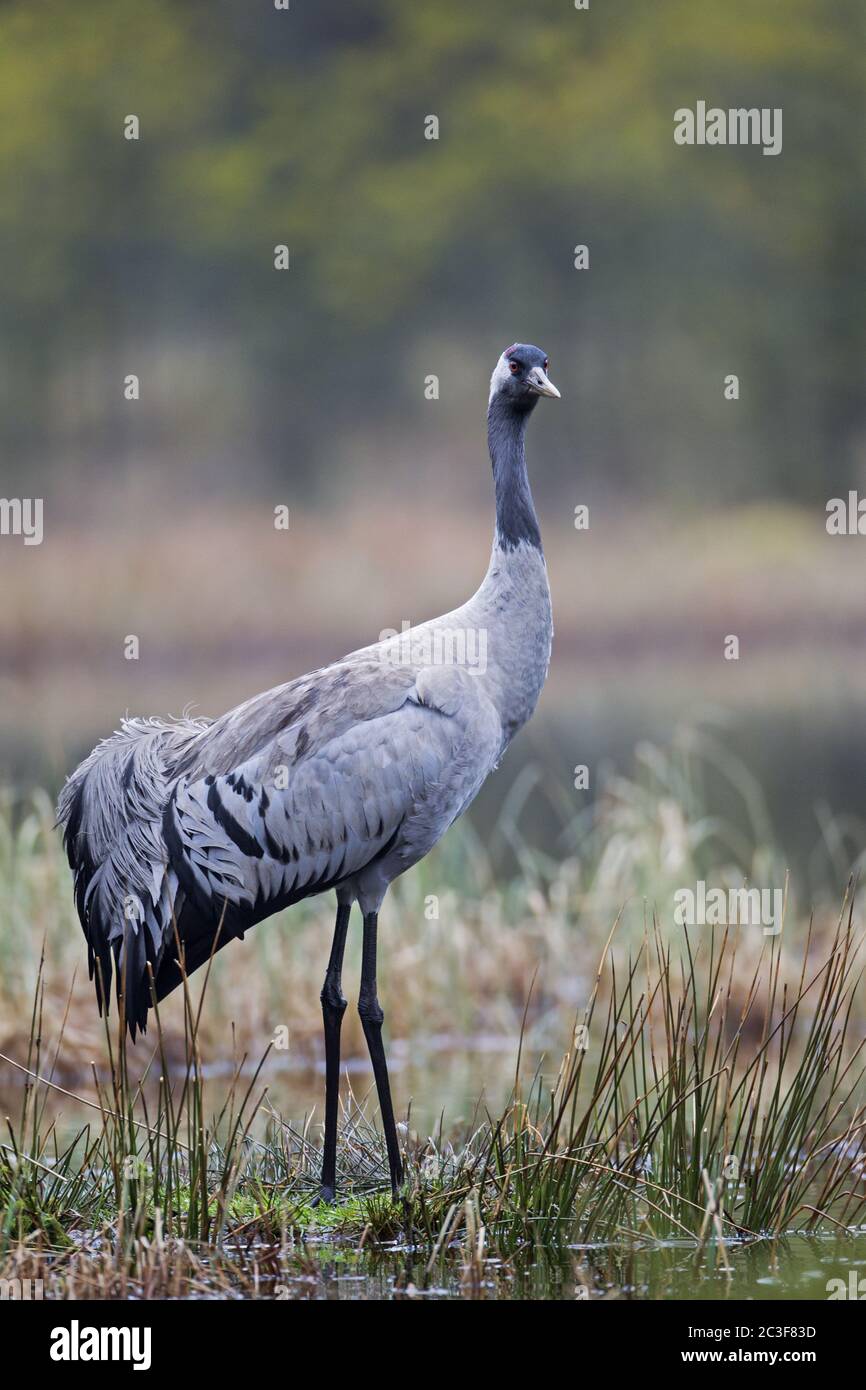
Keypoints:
pixel 412 258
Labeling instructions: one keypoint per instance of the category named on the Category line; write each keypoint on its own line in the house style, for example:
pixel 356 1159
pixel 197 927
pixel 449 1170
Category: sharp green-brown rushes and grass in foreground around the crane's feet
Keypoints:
pixel 667 1121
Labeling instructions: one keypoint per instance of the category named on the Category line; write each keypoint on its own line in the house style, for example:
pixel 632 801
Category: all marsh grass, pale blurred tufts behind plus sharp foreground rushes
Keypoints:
pixel 711 1093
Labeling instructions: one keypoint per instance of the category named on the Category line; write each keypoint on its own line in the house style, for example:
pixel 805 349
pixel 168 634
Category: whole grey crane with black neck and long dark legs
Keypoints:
pixel 194 831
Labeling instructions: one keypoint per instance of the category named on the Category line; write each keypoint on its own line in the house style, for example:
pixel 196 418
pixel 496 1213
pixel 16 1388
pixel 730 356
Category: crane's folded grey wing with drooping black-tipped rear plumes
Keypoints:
pixel 205 829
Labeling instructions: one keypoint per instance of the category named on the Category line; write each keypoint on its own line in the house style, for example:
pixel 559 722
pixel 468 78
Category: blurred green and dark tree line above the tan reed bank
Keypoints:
pixel 414 256
